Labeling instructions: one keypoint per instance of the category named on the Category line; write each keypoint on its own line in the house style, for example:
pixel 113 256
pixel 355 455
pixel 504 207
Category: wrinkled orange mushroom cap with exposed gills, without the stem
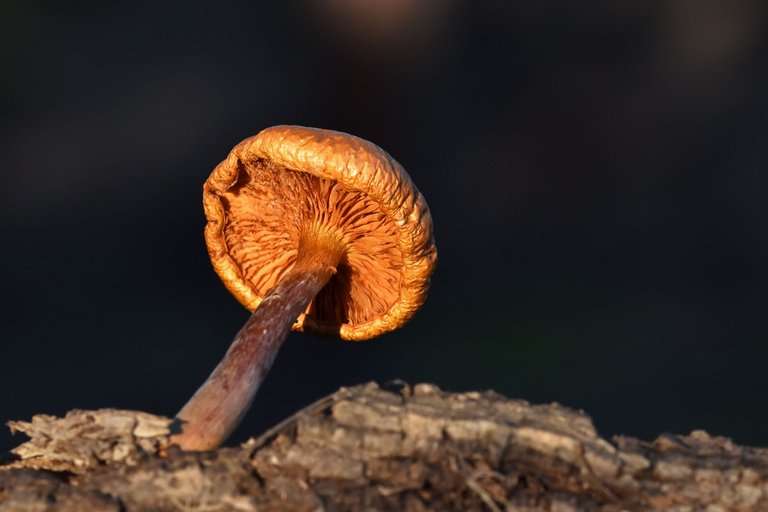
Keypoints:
pixel 286 180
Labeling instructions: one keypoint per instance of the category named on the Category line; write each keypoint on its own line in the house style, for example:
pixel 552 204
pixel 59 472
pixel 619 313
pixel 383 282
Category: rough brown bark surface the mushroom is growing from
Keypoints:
pixel 368 448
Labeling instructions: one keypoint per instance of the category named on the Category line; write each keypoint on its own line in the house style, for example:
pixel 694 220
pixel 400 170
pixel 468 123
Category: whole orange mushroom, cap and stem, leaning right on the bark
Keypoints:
pixel 314 230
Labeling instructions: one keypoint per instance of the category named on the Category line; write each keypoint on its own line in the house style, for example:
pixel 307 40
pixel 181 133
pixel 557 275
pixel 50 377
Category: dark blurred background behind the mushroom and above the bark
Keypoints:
pixel 596 171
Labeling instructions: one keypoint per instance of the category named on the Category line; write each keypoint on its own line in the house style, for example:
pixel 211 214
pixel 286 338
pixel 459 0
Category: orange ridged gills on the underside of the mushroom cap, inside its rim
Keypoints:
pixel 269 209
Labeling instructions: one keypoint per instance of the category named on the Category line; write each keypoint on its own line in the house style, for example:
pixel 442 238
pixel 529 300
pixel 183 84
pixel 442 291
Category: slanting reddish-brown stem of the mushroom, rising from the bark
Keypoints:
pixel 219 404
